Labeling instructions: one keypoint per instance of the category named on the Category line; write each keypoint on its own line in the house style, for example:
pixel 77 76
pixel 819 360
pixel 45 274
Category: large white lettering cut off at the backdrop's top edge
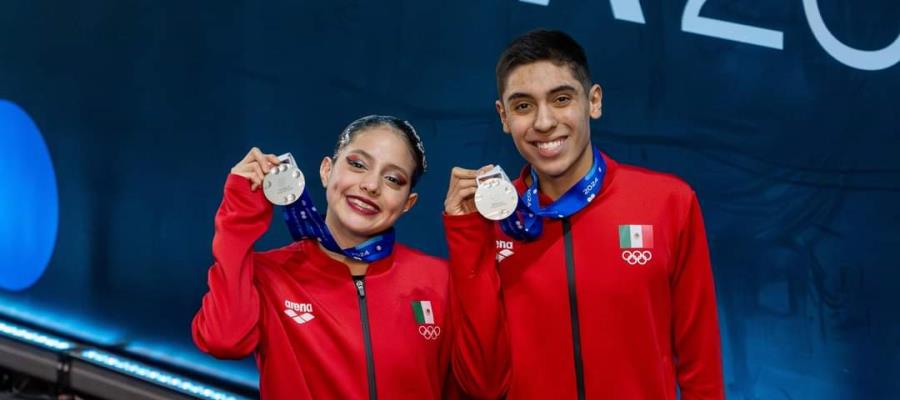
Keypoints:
pixel 691 21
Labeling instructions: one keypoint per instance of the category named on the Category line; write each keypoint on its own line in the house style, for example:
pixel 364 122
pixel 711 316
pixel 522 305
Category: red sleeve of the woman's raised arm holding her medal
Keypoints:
pixel 226 325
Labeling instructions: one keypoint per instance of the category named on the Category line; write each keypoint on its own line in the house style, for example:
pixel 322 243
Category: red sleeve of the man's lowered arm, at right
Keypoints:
pixel 695 323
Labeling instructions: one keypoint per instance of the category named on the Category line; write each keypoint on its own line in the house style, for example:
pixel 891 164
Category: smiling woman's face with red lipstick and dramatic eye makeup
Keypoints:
pixel 368 185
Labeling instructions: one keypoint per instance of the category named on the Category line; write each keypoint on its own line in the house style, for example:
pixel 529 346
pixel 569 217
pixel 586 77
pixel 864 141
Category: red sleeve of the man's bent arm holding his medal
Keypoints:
pixel 481 353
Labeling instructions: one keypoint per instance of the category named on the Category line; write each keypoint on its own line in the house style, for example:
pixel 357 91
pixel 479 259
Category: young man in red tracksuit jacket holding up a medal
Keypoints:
pixel 600 285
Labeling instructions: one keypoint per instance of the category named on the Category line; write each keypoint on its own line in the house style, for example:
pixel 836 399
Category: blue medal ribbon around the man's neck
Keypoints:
pixel 527 222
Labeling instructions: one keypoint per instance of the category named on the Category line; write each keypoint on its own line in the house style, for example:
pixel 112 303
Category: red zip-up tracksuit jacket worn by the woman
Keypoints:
pixel 303 316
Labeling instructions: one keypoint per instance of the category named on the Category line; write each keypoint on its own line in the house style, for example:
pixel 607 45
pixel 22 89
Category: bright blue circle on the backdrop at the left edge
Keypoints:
pixel 29 205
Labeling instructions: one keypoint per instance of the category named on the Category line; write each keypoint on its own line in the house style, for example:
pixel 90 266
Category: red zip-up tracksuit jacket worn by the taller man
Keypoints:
pixel 589 307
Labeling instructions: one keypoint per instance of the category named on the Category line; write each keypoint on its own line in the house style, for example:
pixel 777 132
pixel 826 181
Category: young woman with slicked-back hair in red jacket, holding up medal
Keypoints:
pixel 362 319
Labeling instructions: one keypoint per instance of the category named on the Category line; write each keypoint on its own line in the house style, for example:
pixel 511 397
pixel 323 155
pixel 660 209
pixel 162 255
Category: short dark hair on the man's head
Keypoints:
pixel 543 45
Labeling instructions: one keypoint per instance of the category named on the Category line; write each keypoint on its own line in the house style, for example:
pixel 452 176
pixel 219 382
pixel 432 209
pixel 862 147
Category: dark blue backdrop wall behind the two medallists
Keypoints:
pixel 783 115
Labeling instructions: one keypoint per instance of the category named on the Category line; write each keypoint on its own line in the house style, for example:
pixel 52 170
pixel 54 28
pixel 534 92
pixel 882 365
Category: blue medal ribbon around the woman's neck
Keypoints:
pixel 305 222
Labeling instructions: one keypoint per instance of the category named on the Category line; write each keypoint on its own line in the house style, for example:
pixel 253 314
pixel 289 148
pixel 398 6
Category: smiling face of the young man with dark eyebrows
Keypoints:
pixel 547 112
